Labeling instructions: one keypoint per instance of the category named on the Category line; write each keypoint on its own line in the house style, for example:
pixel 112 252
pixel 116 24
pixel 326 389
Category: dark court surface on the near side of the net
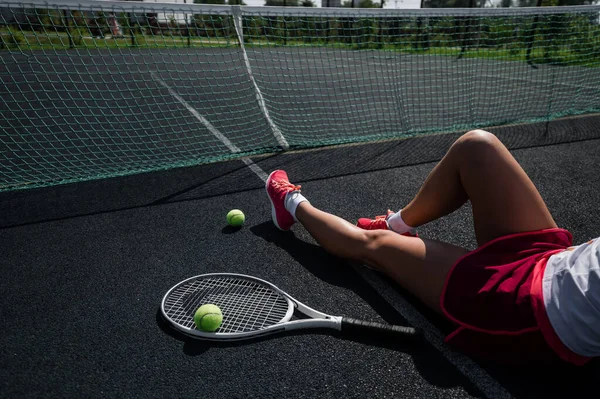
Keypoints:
pixel 85 265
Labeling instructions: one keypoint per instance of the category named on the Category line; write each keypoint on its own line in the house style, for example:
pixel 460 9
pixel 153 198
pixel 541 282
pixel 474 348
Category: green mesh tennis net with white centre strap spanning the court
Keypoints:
pixel 93 89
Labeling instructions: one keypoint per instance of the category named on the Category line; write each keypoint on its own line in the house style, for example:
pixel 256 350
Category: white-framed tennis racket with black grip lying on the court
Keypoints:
pixel 253 307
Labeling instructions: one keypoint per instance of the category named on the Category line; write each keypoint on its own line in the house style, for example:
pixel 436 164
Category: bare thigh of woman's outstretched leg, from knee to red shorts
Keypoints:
pixel 417 264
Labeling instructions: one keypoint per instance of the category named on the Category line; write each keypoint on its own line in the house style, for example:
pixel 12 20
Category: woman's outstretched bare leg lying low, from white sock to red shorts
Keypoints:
pixel 419 265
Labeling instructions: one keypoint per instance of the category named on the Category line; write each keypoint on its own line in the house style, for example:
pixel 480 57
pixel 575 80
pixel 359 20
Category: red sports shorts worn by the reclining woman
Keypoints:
pixel 494 295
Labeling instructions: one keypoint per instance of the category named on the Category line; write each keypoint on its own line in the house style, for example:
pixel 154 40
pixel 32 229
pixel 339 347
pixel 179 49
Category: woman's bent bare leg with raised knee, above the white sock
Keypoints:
pixel 479 168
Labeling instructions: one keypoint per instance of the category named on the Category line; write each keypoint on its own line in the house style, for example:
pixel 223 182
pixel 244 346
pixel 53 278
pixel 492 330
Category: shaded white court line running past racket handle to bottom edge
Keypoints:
pixel 473 372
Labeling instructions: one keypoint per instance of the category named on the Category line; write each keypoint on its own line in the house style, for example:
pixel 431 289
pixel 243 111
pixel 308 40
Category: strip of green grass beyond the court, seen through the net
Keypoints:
pixel 13 39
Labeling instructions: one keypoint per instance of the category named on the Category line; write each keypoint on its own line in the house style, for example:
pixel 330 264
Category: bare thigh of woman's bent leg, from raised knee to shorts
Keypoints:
pixel 504 199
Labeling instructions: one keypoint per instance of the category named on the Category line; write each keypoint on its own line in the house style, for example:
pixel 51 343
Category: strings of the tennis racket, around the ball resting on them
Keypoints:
pixel 246 305
